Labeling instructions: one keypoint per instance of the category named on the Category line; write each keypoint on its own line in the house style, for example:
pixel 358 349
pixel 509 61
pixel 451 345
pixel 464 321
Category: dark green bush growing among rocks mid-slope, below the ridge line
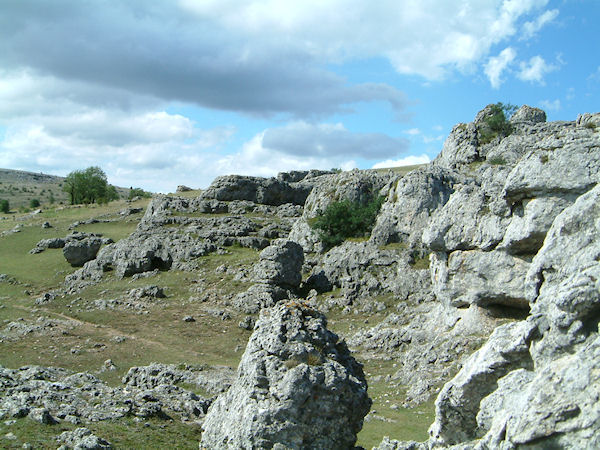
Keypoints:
pixel 346 219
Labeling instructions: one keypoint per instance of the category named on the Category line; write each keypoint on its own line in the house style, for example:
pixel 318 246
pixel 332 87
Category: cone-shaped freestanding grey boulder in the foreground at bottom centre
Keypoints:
pixel 297 387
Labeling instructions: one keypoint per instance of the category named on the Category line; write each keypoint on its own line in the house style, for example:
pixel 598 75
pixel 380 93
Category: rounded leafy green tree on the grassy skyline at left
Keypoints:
pixel 89 186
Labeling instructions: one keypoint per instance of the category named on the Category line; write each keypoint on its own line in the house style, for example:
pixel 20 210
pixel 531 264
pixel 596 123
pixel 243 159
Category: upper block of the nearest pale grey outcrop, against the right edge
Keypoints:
pixel 564 278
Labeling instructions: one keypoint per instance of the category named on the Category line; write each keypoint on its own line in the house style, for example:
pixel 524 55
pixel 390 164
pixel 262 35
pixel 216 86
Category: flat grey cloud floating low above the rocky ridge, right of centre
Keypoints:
pixel 327 140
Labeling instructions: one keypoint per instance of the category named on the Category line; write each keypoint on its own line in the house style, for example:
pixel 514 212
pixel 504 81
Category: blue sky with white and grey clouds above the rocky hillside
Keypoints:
pixel 176 92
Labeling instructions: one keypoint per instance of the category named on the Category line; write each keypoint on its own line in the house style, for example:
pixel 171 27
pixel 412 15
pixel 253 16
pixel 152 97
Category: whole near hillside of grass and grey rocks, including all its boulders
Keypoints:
pixel 467 316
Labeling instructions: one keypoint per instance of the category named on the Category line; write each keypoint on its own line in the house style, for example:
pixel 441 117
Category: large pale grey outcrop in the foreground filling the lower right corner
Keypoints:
pixel 535 382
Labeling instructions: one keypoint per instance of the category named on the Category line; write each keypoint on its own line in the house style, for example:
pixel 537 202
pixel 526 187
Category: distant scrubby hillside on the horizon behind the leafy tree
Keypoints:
pixel 20 187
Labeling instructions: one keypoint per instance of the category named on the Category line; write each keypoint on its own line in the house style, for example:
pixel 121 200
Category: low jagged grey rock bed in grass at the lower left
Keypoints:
pixel 51 394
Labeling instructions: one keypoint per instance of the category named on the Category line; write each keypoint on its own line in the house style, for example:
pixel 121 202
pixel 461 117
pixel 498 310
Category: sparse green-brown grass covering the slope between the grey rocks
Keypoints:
pixel 160 335
